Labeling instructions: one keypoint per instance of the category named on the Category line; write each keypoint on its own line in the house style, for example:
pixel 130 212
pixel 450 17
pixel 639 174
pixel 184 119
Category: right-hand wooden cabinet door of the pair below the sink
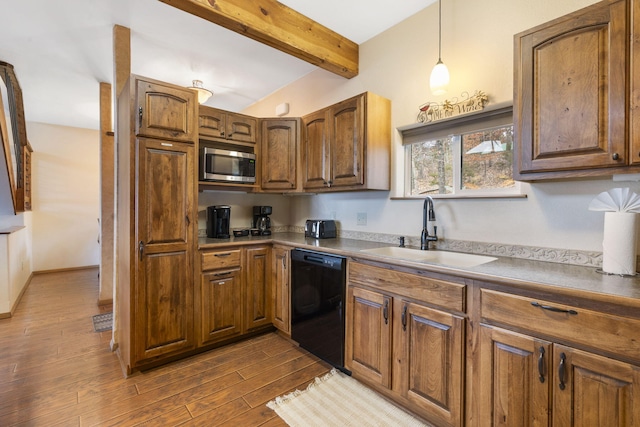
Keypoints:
pixel 430 344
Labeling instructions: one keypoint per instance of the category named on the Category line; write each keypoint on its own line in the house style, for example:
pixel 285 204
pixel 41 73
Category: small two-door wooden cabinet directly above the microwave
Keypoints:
pixel 223 125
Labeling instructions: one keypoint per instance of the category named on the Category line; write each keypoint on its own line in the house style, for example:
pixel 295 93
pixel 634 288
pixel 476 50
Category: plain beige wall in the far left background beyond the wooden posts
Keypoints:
pixel 66 196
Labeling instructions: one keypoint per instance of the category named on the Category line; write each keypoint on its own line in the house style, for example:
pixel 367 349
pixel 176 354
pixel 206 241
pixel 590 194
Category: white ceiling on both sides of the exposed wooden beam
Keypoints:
pixel 62 49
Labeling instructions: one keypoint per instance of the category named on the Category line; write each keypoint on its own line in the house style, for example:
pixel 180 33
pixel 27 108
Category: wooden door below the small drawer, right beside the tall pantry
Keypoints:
pixel 221 299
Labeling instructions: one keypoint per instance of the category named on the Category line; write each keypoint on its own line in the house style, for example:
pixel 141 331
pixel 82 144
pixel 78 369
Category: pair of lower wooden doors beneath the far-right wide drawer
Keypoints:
pixel 531 382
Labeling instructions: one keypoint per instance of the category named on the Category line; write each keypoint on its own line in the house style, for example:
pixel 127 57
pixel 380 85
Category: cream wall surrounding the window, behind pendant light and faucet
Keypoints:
pixel 477 46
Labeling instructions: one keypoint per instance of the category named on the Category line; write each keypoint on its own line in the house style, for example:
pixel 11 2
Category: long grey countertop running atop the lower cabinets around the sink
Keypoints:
pixel 522 273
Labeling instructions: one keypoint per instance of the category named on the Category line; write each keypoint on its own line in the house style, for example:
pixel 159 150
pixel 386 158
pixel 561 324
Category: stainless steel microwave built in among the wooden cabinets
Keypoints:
pixel 227 166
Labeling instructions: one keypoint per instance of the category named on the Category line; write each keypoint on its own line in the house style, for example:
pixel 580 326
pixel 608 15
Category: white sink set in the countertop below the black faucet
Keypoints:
pixel 452 259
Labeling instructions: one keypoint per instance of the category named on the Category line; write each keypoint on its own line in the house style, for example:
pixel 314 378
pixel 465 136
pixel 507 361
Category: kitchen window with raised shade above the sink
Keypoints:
pixel 465 156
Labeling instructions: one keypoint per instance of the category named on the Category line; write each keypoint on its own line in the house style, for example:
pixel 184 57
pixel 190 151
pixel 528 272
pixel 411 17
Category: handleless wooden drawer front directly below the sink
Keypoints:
pixel 433 291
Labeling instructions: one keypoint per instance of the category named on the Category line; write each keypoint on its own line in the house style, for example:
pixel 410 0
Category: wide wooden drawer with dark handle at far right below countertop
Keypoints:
pixel 612 334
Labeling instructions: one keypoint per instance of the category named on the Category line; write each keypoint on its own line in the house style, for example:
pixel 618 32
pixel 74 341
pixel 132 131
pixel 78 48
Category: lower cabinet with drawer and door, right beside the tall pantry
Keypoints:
pixel 220 296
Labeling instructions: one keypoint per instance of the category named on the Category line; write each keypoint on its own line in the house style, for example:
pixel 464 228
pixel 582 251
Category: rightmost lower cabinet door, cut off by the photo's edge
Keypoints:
pixel 591 390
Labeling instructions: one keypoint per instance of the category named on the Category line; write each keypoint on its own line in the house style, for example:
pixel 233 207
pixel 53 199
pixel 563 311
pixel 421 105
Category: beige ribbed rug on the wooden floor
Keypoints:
pixel 337 399
